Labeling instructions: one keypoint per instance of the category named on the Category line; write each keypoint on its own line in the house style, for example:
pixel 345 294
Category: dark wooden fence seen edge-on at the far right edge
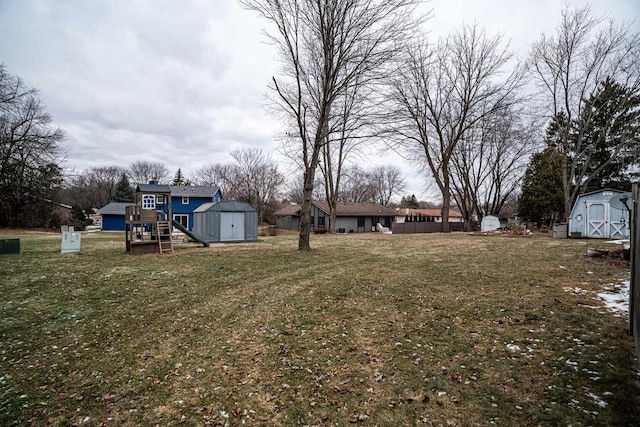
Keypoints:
pixel 634 294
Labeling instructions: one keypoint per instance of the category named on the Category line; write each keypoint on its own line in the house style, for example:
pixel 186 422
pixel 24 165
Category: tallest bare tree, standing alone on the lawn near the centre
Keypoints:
pixel 325 46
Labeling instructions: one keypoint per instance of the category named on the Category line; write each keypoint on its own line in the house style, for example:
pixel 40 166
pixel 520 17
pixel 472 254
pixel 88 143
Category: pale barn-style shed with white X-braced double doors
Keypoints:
pixel 593 216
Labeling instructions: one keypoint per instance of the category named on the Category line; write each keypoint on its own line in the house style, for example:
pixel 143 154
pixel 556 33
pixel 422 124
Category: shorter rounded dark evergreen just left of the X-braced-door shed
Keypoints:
pixel 542 198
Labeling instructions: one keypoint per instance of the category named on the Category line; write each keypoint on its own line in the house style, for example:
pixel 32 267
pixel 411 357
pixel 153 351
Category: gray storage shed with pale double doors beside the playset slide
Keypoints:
pixel 227 221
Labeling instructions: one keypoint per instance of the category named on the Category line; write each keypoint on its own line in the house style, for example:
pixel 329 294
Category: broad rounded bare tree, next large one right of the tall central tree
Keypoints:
pixel 442 92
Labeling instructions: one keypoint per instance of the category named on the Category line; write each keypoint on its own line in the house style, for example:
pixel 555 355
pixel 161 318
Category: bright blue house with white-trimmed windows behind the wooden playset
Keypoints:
pixel 184 199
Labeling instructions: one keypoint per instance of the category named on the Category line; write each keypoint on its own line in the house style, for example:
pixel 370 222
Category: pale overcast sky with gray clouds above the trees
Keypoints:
pixel 183 82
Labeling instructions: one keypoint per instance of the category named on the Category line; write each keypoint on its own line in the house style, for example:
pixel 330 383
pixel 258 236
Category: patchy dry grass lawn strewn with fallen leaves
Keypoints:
pixel 366 329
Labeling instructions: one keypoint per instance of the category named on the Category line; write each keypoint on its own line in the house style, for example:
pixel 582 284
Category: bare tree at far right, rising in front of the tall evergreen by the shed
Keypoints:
pixel 568 67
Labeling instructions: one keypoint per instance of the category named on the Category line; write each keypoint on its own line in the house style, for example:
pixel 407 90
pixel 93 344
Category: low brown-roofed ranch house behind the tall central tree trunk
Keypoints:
pixel 350 217
